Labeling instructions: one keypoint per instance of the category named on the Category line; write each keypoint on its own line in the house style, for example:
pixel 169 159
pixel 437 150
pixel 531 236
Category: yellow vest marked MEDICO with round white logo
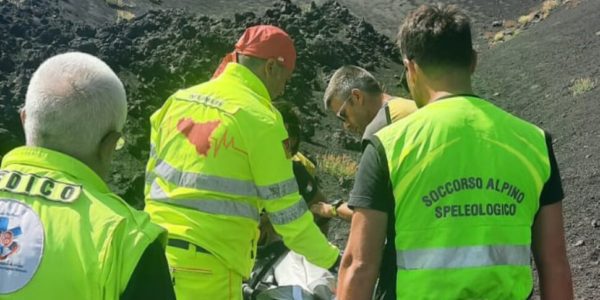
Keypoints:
pixel 63 234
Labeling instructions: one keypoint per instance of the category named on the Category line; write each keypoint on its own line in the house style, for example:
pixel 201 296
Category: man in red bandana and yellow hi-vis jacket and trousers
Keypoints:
pixel 220 156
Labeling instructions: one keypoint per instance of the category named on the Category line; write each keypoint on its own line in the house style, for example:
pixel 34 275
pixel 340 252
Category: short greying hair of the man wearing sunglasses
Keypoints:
pixel 347 78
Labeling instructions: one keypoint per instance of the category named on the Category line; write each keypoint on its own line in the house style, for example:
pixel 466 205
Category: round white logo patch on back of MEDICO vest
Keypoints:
pixel 21 245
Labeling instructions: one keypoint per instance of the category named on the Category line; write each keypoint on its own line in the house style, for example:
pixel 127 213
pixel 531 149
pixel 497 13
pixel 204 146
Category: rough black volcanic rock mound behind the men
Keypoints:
pixel 166 50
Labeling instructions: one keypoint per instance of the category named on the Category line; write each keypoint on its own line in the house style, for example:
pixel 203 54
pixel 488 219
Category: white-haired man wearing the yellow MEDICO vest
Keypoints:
pixel 55 205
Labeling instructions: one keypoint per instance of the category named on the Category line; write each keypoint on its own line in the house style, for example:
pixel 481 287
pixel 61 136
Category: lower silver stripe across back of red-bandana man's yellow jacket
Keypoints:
pixel 219 207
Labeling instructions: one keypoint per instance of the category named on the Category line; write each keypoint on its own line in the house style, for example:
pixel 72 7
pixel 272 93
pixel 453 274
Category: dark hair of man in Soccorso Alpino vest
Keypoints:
pixel 437 36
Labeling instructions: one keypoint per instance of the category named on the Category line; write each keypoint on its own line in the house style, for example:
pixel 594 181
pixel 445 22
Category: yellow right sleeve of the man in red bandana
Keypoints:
pixel 285 208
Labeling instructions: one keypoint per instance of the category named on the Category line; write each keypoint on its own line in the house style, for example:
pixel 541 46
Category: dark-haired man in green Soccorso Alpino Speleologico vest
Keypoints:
pixel 473 190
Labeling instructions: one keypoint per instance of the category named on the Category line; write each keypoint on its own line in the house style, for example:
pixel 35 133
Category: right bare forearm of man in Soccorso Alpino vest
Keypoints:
pixel 550 253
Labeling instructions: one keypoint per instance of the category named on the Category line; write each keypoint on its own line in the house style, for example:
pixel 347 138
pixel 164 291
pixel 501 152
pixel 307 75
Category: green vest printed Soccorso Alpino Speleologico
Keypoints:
pixel 467 179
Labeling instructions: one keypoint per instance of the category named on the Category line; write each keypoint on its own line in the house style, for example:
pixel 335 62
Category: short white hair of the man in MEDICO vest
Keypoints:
pixel 73 101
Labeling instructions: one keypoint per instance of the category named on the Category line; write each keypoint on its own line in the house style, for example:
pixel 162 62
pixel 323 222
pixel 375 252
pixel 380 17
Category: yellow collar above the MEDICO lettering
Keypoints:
pixel 52 160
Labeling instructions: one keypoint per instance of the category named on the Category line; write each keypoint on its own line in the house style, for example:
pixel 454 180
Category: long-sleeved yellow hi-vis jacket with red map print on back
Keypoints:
pixel 218 159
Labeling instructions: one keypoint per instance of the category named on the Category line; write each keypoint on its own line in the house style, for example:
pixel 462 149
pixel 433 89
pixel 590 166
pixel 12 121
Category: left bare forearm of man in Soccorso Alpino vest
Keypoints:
pixel 360 265
